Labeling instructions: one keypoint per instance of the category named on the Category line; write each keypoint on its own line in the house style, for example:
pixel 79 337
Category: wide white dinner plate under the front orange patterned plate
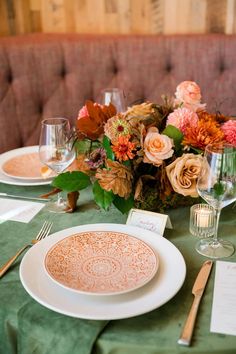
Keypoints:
pixel 164 285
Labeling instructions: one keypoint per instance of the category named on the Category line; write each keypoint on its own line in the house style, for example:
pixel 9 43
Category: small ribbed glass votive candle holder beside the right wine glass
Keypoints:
pixel 202 224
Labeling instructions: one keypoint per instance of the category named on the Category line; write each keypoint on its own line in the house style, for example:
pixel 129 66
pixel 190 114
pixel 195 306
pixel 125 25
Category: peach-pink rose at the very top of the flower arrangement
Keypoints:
pixel 189 93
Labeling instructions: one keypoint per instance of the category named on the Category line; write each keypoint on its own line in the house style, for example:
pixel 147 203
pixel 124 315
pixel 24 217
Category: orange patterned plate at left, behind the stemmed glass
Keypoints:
pixel 27 166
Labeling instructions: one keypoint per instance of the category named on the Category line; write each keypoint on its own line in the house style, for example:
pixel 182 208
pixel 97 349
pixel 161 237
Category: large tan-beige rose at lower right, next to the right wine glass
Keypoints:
pixel 183 174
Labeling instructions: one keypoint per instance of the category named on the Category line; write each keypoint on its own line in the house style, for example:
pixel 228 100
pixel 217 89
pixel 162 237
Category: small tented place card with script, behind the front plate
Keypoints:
pixel 149 220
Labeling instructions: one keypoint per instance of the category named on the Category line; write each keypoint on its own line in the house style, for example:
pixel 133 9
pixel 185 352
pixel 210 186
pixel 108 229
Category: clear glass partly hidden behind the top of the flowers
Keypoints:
pixel 116 97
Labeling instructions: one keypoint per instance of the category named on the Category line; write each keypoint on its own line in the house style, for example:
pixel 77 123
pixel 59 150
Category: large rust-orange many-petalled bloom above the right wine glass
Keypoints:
pixel 204 133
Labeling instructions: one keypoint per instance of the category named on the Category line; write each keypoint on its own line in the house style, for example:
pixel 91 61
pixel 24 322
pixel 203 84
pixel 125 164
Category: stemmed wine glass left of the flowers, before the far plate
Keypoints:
pixel 56 151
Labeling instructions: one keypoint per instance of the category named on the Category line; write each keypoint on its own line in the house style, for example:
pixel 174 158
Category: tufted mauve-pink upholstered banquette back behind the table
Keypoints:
pixel 52 75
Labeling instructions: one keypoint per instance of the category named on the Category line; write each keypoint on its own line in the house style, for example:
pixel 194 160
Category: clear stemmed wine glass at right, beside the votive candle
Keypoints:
pixel 217 186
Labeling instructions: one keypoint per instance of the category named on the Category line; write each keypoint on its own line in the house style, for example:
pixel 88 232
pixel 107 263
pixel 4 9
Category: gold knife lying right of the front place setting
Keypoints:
pixel 197 291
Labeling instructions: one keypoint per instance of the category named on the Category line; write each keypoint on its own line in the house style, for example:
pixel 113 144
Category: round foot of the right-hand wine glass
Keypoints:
pixel 215 249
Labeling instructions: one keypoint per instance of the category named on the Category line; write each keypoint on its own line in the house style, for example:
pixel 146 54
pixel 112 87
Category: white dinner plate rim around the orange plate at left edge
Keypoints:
pixel 6 156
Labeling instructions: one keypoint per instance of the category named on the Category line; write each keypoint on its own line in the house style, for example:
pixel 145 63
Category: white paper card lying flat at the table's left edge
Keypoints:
pixel 18 210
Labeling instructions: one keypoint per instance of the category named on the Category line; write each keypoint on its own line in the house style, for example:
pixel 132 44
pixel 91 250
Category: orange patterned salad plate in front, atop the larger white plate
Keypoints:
pixel 101 262
